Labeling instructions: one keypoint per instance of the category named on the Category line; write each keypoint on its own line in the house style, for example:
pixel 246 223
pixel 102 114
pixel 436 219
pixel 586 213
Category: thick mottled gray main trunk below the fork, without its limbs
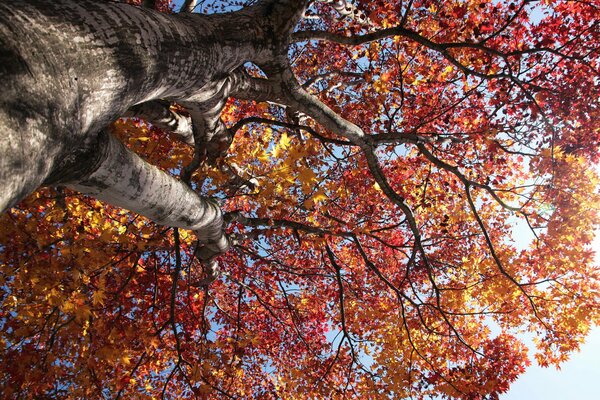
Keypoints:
pixel 69 68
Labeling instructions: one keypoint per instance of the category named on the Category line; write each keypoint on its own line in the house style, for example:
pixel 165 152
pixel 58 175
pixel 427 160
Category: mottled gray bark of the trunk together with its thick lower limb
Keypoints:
pixel 70 68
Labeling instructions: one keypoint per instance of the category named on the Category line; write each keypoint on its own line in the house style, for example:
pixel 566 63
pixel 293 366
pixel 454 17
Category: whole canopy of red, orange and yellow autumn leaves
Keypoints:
pixel 330 294
